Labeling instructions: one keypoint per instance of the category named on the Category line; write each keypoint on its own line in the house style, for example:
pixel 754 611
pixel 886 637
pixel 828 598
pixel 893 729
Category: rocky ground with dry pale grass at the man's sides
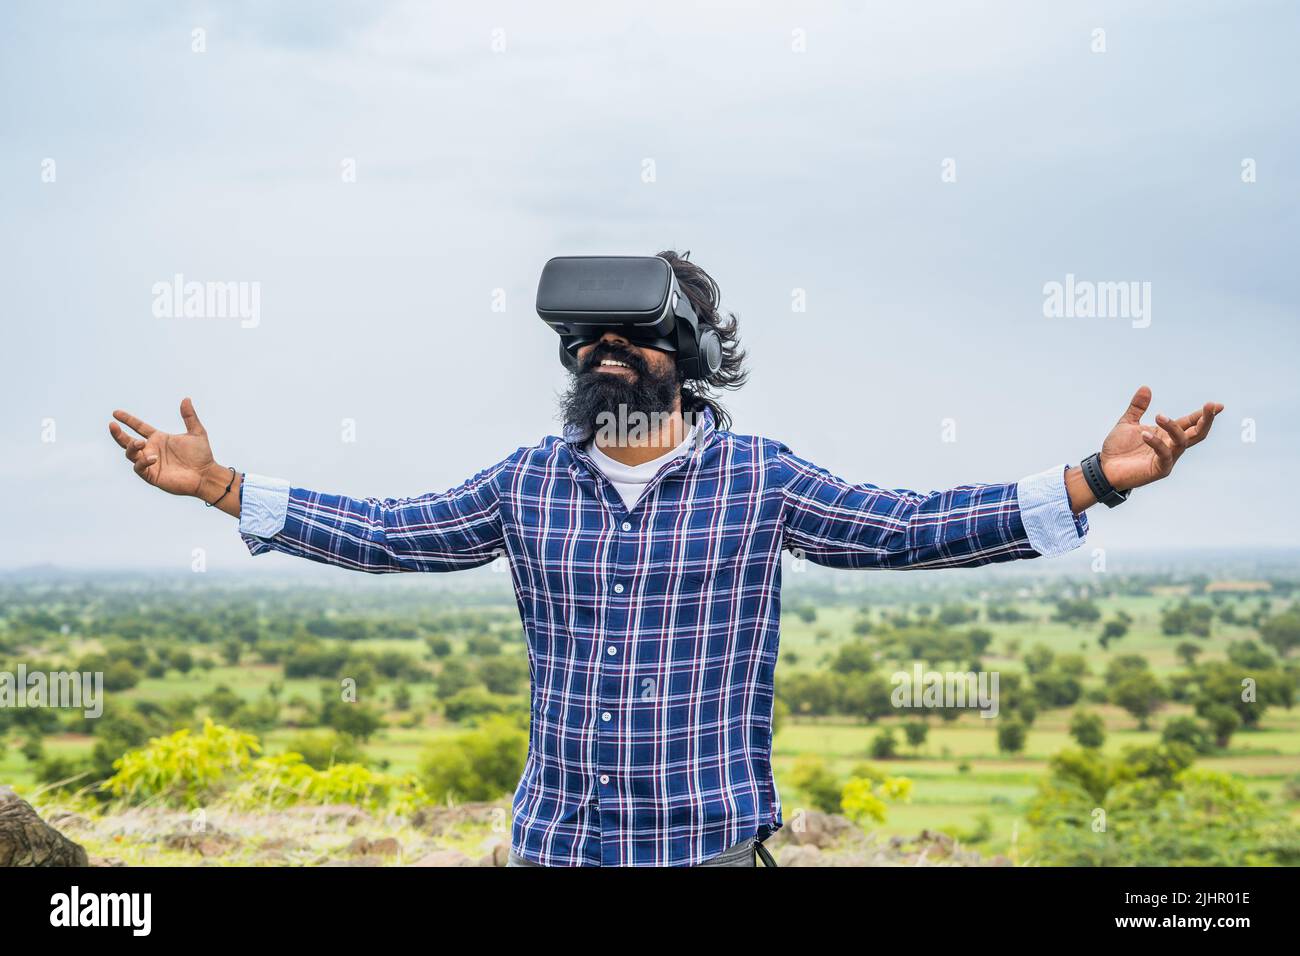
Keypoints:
pixel 343 836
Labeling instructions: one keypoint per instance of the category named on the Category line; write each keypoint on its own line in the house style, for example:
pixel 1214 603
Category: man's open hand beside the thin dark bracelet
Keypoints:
pixel 177 464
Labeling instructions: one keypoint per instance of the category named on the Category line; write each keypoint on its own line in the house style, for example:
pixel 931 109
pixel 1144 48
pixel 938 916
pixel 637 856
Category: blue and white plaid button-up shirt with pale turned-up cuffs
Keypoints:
pixel 653 633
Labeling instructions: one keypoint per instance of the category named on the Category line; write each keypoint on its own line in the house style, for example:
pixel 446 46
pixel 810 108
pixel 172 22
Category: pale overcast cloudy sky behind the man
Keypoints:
pixel 883 192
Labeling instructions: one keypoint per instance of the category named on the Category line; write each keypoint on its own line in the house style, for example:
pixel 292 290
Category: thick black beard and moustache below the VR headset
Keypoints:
pixel 593 395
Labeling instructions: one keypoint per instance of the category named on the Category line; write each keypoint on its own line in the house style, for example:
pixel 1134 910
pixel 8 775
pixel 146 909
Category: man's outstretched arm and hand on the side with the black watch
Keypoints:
pixel 843 525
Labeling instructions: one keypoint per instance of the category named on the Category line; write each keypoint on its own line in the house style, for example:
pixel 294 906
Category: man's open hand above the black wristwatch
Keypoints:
pixel 1136 455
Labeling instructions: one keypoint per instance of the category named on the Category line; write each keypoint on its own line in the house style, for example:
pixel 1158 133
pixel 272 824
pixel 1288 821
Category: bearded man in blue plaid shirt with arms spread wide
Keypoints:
pixel 647 569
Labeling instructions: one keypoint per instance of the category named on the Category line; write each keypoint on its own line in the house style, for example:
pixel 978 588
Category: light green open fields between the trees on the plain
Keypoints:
pixel 959 775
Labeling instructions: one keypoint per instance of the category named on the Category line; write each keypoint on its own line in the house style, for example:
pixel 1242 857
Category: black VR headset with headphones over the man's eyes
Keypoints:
pixel 638 297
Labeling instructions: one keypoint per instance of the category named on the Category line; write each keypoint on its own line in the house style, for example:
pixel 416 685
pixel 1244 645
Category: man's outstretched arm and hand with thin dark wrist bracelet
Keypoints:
pixel 434 533
